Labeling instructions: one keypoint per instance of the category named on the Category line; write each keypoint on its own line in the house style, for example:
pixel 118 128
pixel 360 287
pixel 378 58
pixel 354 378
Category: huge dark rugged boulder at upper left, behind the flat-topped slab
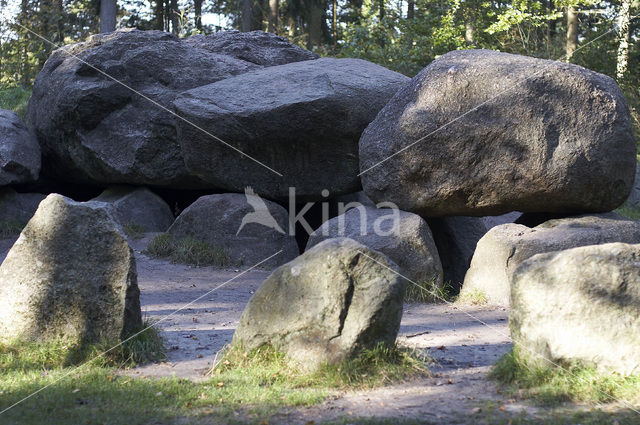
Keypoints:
pixel 115 124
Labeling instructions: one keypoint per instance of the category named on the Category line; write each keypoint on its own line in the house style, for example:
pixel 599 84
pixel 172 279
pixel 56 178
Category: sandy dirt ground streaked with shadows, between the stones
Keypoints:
pixel 464 341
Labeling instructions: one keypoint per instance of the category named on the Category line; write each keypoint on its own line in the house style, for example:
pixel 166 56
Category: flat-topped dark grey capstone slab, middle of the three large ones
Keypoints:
pixel 298 123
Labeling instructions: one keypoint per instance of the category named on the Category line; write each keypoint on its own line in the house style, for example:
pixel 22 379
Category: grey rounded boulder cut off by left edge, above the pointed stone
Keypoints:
pixel 19 151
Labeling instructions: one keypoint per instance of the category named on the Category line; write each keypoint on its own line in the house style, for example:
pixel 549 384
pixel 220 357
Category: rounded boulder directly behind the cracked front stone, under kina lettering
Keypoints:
pixel 403 237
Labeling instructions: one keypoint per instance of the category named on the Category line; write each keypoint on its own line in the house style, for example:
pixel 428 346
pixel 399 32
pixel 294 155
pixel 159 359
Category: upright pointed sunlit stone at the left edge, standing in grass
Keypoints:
pixel 70 274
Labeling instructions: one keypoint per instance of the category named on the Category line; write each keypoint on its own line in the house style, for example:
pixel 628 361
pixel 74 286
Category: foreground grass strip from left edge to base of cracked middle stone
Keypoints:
pixel 255 385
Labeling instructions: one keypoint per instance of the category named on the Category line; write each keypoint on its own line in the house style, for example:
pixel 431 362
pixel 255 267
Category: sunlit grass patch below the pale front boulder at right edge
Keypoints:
pixel 551 385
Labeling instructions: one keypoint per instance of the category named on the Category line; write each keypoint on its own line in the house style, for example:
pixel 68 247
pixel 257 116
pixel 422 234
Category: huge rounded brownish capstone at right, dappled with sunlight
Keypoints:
pixel 479 132
